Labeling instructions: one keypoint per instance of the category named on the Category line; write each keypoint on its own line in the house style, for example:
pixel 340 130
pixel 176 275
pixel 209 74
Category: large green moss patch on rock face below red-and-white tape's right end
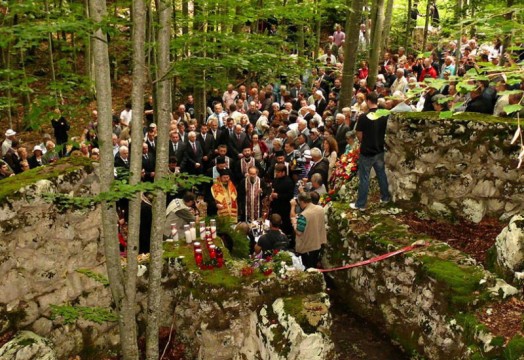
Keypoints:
pixel 461 281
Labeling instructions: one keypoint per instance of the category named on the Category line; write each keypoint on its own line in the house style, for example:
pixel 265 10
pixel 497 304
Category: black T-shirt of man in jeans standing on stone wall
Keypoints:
pixel 373 134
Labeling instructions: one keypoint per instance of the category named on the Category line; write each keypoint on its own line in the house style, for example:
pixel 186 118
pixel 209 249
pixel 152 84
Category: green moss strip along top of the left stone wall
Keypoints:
pixel 11 185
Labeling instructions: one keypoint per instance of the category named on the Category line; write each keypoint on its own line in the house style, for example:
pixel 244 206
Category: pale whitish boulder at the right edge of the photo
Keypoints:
pixel 510 245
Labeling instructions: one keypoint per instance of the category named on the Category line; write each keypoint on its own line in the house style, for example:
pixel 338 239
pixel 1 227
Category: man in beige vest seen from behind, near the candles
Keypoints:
pixel 310 230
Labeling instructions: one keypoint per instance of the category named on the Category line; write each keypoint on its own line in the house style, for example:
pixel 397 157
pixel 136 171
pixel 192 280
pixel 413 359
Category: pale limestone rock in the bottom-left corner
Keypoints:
pixel 27 345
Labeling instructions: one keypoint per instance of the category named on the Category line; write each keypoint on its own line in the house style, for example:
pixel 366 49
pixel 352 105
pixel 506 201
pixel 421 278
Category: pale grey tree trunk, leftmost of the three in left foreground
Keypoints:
pixel 98 12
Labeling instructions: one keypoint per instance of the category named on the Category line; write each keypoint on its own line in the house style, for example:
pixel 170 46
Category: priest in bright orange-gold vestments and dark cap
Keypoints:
pixel 224 195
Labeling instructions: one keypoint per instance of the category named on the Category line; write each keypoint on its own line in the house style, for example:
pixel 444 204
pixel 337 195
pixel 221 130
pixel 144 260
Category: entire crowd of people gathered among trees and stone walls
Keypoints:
pixel 271 150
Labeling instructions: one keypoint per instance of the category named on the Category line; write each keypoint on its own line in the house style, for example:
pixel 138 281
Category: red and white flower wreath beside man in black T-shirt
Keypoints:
pixel 345 169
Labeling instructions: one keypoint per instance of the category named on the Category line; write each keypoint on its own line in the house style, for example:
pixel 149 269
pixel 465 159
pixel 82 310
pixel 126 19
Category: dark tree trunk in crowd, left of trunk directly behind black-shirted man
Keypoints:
pixel 350 51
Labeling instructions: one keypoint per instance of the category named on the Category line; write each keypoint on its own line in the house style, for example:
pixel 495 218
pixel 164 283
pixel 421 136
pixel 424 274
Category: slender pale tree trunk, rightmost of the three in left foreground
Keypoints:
pixel 159 203
